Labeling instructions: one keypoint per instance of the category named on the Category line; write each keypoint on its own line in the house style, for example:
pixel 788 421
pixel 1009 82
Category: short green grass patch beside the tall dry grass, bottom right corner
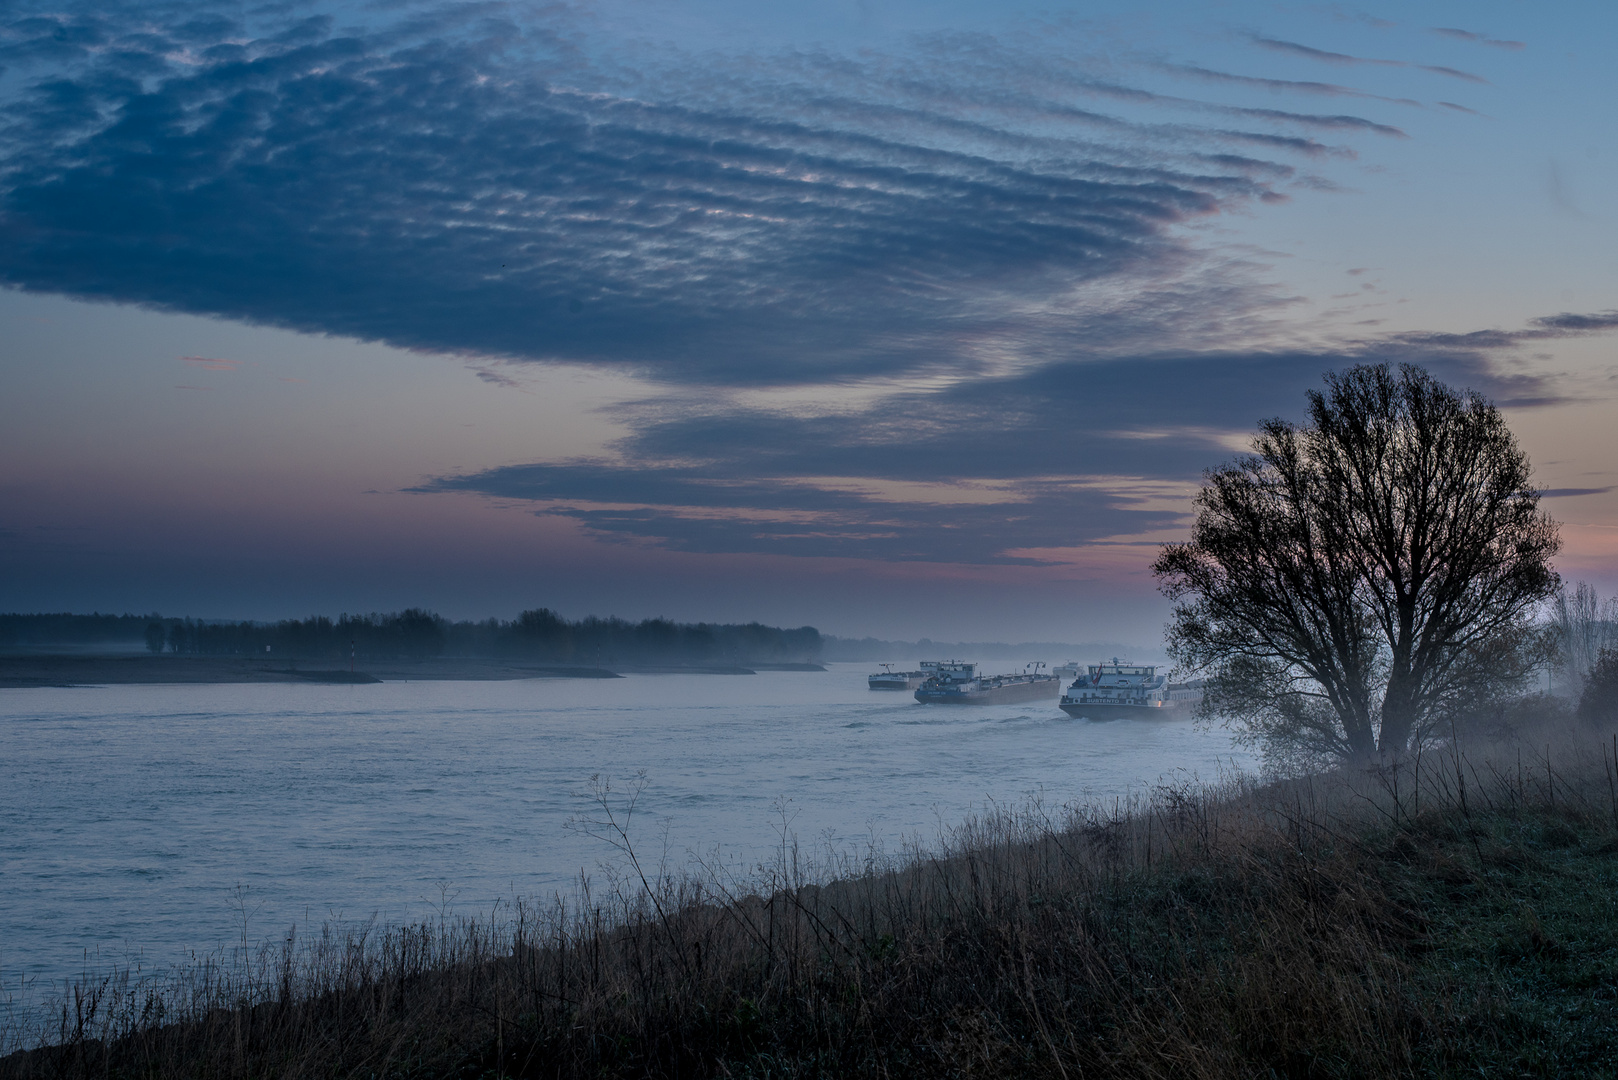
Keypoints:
pixel 1522 946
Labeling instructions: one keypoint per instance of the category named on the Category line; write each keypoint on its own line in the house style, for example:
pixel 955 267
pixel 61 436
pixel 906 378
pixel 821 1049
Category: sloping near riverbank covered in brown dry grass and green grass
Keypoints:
pixel 1451 917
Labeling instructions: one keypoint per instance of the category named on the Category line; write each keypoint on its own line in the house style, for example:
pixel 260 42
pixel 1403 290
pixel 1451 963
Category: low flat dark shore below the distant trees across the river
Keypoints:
pixel 130 670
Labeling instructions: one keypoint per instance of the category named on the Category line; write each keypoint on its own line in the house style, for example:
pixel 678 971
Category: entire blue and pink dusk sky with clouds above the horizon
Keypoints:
pixel 891 318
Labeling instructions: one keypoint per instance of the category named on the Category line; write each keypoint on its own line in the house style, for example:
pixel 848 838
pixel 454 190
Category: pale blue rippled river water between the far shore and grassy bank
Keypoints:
pixel 156 823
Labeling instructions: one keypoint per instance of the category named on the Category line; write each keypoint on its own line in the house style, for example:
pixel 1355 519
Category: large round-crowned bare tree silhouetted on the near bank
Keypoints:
pixel 1366 576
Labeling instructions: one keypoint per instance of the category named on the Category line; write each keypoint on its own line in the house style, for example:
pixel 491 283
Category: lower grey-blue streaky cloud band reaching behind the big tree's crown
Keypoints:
pixel 993 472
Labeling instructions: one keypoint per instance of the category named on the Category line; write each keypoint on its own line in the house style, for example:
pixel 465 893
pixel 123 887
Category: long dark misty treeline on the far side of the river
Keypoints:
pixel 540 636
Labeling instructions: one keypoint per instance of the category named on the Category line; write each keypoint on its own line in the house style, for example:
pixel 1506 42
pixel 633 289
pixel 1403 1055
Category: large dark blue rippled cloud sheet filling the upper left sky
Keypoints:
pixel 477 179
